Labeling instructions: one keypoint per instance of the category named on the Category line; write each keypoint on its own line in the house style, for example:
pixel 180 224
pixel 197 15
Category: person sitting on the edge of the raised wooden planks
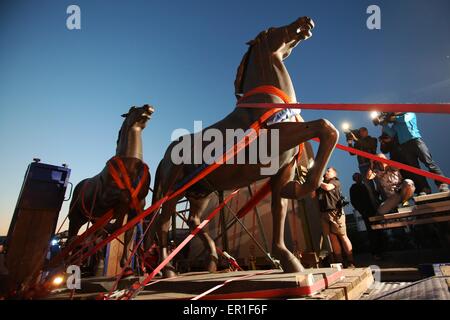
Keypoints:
pixel 393 188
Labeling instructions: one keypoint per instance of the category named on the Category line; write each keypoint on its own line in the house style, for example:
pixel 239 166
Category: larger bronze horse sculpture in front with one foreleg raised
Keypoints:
pixel 262 65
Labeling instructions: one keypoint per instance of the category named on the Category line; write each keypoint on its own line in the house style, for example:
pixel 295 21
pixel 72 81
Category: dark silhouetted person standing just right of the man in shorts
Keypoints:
pixel 360 200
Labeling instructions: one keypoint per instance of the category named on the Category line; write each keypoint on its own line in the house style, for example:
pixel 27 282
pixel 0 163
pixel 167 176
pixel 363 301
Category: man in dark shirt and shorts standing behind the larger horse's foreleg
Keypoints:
pixel 332 216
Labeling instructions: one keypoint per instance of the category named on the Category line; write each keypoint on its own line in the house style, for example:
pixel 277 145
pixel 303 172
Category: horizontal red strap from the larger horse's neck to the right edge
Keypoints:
pixel 381 107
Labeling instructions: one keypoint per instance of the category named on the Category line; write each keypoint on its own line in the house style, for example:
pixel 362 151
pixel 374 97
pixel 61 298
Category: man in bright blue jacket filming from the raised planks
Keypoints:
pixel 404 126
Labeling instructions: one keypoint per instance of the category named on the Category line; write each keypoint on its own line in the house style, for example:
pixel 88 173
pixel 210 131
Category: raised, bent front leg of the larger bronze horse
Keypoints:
pixel 292 134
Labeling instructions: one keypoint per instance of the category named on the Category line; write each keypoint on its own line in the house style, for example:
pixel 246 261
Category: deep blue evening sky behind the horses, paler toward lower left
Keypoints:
pixel 62 92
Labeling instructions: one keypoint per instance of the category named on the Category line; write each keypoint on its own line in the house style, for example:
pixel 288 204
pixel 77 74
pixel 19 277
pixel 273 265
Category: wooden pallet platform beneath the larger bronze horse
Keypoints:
pixel 325 283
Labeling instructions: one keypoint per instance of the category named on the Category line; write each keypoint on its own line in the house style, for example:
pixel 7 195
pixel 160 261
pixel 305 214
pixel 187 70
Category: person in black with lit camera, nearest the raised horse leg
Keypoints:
pixel 362 141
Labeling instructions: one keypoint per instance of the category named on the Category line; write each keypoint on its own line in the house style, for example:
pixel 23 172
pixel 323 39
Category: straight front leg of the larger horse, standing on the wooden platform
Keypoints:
pixel 288 261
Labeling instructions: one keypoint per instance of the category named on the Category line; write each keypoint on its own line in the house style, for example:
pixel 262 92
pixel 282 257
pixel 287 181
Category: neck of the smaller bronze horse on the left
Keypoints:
pixel 130 143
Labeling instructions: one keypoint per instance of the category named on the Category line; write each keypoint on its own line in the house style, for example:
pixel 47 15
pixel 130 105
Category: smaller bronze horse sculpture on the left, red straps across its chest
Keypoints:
pixel 94 196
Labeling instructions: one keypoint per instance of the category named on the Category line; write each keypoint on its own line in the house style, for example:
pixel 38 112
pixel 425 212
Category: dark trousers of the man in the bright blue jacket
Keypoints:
pixel 415 150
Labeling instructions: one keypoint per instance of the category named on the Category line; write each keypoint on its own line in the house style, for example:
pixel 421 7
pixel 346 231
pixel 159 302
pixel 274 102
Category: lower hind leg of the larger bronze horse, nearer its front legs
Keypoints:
pixel 197 207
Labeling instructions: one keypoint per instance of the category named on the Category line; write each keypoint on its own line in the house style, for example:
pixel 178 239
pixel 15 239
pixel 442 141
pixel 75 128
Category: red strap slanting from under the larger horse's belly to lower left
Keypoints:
pixel 140 285
